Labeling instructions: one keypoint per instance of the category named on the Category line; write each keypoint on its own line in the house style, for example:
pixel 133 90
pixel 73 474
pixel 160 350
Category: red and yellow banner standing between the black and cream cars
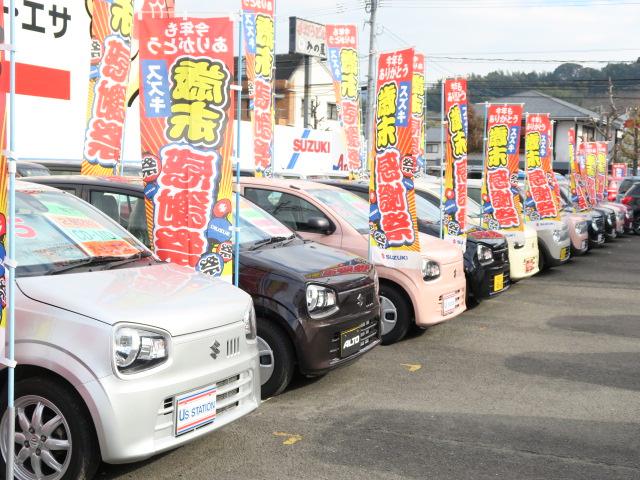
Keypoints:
pixel 501 204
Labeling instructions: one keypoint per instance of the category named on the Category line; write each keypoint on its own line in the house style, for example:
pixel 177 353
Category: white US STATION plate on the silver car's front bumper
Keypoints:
pixel 195 409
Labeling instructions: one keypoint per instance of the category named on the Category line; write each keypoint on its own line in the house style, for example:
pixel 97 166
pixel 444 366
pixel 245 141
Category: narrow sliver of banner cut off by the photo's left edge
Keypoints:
pixel 4 188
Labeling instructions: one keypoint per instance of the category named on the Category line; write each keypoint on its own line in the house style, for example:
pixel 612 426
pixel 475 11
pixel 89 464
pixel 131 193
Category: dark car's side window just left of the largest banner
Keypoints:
pixel 128 210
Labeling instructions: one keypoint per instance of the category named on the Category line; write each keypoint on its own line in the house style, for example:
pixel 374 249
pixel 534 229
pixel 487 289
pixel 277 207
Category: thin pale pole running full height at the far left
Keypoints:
pixel 10 261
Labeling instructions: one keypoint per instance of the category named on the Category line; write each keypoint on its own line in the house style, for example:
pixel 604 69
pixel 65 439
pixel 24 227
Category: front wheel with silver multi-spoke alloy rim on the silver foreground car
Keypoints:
pixel 54 435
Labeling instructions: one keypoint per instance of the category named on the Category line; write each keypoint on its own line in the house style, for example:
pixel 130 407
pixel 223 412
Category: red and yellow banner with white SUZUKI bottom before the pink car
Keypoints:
pixel 393 225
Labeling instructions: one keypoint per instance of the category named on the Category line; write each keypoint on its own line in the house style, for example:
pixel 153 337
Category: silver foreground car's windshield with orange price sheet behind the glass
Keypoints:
pixel 55 231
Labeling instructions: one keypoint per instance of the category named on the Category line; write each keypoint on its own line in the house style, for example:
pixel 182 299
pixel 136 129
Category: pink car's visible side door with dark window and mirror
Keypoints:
pixel 295 212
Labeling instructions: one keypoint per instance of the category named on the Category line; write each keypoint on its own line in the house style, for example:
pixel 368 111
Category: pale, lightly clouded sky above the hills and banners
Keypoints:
pixel 476 30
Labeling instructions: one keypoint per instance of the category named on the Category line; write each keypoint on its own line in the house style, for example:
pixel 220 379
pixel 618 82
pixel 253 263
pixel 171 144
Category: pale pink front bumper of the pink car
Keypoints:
pixel 448 289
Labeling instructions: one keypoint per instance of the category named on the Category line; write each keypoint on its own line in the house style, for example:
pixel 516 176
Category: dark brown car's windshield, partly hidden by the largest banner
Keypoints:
pixel 257 226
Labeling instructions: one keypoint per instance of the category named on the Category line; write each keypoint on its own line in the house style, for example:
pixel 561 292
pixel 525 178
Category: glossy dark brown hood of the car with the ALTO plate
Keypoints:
pixel 306 261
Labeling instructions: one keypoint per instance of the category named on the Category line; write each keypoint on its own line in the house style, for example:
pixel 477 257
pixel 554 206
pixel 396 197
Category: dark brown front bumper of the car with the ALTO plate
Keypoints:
pixel 319 341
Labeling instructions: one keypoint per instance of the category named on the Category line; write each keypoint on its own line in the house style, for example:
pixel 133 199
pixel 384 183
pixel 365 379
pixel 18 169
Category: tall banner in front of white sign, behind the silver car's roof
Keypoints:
pixel 111 28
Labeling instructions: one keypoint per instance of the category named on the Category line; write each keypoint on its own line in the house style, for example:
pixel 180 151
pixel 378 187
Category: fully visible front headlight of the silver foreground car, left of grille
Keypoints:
pixel 136 350
